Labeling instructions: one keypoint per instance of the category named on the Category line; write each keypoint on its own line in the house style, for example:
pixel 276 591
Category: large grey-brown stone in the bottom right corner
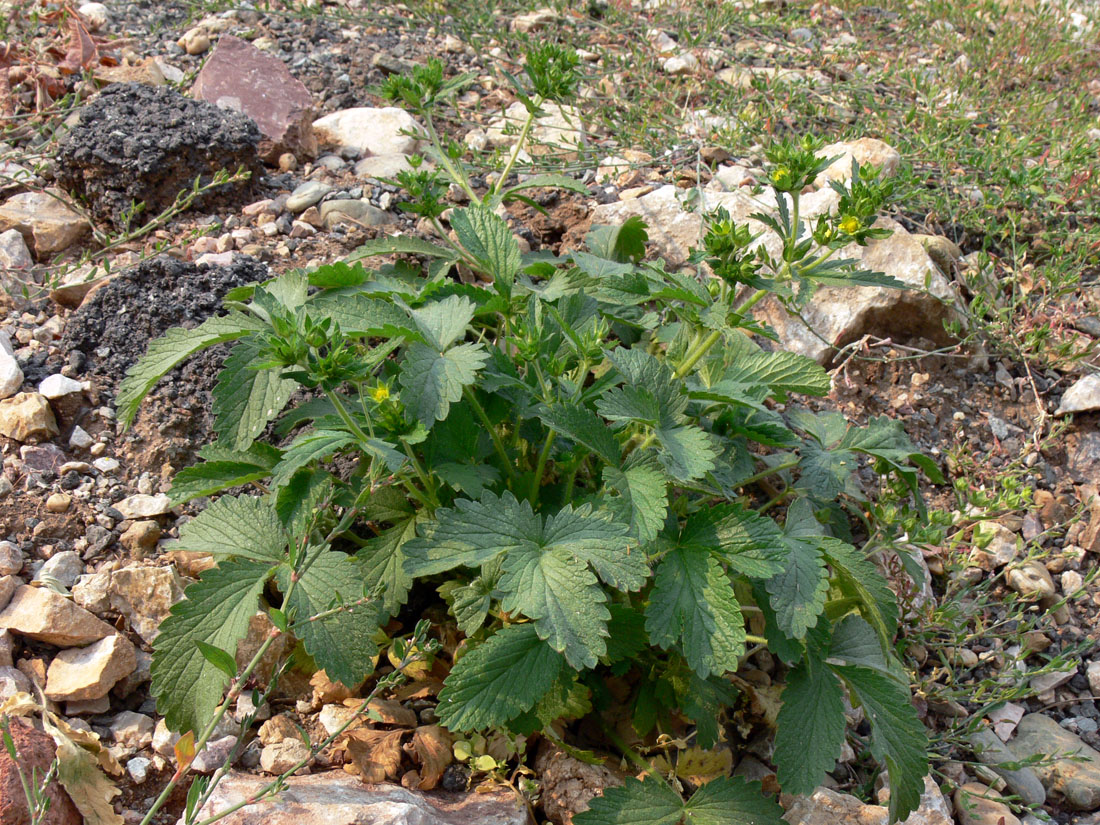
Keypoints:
pixel 1076 783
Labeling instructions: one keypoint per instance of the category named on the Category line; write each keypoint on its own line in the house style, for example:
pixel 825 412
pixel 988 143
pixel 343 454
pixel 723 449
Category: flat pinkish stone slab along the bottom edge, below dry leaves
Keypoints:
pixel 338 799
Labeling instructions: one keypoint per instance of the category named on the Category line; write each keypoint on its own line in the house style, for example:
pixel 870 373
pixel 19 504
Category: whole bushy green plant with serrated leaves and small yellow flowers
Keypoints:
pixel 590 459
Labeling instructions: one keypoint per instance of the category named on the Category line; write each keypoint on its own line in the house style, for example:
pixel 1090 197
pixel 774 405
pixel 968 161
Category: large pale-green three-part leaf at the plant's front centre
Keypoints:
pixel 546 566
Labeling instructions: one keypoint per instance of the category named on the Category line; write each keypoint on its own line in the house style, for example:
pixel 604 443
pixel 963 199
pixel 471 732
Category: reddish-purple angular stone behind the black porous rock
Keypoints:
pixel 241 79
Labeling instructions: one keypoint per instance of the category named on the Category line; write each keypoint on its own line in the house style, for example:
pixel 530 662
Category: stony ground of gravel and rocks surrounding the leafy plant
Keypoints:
pixel 87 570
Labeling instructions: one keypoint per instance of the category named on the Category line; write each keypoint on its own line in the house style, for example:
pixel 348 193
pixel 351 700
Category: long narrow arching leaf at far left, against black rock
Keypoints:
pixel 173 348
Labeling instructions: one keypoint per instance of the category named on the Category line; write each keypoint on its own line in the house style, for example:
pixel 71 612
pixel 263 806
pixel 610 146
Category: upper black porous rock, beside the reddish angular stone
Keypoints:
pixel 147 145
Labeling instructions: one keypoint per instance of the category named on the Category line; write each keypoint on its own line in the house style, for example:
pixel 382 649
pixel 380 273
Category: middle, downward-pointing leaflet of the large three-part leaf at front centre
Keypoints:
pixel 563 597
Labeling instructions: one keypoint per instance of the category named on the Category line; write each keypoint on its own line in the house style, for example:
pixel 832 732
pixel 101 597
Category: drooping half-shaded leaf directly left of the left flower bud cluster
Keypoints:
pixel 246 400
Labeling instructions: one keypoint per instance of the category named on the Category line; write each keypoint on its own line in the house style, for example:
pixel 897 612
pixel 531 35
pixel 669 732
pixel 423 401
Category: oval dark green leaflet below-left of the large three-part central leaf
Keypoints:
pixel 499 680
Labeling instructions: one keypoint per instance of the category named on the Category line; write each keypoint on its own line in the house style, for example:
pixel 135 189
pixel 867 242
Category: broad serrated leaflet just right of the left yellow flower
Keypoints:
pixel 432 382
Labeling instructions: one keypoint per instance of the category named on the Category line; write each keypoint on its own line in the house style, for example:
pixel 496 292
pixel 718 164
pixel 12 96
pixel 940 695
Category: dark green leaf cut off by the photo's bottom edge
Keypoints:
pixel 723 801
